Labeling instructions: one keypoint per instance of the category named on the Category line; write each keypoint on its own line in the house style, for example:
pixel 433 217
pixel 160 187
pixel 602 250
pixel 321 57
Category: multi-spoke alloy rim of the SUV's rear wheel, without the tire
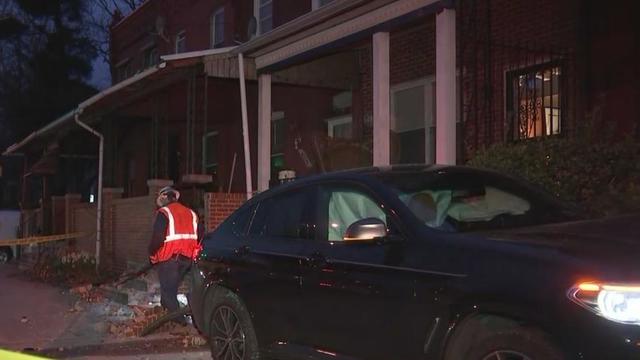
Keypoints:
pixel 227 335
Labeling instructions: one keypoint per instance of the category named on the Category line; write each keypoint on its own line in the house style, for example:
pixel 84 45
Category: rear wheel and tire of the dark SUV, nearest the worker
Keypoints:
pixel 231 332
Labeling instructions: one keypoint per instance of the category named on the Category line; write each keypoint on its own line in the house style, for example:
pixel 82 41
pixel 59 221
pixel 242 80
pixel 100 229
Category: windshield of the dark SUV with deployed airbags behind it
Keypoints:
pixel 462 201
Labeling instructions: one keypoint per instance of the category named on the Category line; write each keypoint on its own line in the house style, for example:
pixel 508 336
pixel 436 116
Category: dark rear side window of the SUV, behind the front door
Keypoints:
pixel 285 215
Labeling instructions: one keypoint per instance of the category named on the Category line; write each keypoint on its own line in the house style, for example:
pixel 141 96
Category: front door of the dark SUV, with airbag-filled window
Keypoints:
pixel 359 300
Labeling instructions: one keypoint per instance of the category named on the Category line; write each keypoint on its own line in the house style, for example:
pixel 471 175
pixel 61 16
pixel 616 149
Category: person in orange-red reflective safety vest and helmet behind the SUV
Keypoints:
pixel 174 244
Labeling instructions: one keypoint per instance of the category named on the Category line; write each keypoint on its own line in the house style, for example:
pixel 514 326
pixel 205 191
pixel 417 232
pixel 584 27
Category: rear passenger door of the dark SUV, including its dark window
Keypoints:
pixel 270 259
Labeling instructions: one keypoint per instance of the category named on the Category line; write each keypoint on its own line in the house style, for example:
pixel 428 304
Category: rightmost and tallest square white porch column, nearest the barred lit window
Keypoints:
pixel 446 87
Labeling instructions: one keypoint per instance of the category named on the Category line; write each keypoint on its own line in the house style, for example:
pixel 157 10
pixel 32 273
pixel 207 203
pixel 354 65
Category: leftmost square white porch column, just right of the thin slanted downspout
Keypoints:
pixel 264 131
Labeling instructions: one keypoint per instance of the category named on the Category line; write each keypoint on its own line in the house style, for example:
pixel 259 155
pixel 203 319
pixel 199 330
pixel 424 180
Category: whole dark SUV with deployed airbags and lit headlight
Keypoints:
pixel 418 262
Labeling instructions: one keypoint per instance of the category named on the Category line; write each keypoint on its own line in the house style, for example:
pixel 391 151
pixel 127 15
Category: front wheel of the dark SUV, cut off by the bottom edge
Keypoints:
pixel 508 340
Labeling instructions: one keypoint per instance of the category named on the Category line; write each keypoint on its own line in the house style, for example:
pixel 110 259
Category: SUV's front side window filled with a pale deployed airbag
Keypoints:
pixel 345 206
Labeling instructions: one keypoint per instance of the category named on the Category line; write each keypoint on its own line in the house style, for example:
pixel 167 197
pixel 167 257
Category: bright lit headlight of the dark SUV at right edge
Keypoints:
pixel 619 303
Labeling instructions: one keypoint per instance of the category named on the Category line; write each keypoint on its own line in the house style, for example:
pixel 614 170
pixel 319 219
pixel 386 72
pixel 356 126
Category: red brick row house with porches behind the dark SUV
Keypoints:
pixel 330 85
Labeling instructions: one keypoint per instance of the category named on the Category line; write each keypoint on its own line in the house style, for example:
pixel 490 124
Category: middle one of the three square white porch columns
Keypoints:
pixel 381 111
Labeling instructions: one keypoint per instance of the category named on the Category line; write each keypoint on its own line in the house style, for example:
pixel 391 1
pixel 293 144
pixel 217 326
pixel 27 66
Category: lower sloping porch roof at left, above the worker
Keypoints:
pixel 217 63
